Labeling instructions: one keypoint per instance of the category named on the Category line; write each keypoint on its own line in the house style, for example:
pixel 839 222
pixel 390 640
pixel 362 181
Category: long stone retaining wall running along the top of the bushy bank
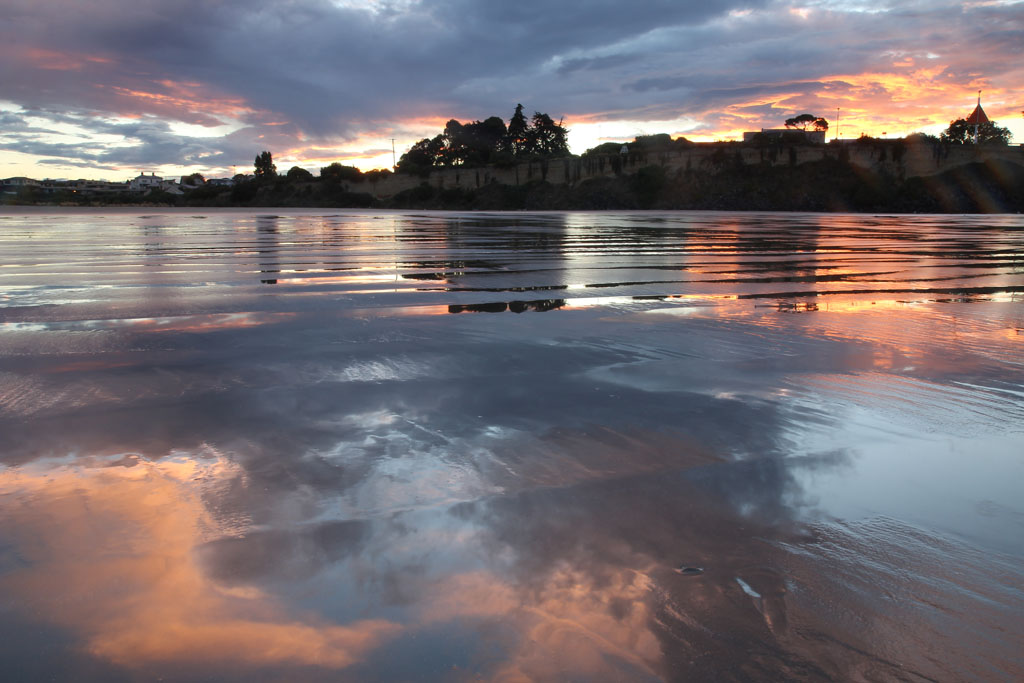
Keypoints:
pixel 900 159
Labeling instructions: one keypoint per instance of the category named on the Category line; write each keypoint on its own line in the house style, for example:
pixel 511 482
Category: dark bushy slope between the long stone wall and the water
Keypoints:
pixel 826 186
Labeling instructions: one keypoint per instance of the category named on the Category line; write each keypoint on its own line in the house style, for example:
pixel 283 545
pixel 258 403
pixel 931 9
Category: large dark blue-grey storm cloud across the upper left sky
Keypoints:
pixel 323 65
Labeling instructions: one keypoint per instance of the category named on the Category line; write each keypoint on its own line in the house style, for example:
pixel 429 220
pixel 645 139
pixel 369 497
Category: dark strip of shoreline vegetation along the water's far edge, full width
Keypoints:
pixel 828 186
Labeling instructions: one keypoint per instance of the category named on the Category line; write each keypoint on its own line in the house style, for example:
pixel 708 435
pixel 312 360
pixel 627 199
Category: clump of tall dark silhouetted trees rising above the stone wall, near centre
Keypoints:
pixel 489 142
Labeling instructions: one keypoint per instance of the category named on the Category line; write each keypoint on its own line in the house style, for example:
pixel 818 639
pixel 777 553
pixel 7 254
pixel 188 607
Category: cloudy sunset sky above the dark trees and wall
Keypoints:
pixel 111 89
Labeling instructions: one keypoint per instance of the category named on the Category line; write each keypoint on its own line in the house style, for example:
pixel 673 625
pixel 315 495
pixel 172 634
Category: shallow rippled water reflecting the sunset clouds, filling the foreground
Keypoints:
pixel 450 447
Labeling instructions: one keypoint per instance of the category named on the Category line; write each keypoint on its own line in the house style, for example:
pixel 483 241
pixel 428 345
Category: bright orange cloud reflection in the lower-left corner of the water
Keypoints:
pixel 119 541
